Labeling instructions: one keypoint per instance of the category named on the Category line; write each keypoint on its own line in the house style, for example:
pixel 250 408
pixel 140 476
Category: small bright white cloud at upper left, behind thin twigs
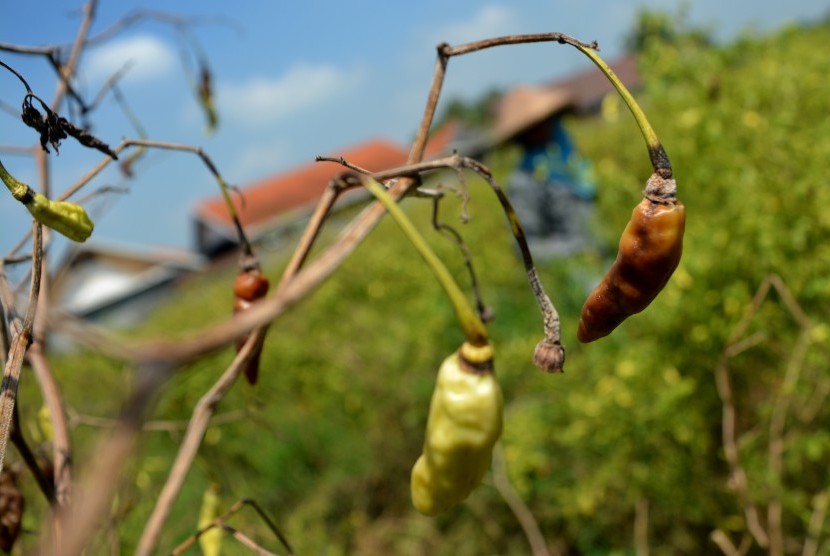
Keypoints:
pixel 148 56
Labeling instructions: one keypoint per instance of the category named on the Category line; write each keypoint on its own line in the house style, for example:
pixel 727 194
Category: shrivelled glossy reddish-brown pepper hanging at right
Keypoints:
pixel 649 252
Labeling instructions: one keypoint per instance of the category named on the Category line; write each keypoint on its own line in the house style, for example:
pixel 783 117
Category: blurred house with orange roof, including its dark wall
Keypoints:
pixel 278 202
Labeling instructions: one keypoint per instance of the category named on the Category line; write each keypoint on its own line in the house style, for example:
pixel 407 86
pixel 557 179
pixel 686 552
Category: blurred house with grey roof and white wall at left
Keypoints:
pixel 116 285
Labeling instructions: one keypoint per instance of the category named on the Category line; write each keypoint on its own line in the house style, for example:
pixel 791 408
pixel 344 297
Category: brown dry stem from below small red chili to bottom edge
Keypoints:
pixel 188 448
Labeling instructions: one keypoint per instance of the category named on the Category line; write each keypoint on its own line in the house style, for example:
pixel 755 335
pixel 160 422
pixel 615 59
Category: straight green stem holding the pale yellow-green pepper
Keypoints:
pixel 474 330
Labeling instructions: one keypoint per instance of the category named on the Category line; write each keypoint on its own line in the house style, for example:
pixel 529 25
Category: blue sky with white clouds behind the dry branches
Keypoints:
pixel 294 80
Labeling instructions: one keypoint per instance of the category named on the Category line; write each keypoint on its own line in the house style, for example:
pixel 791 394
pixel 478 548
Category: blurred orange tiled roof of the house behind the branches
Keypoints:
pixel 297 189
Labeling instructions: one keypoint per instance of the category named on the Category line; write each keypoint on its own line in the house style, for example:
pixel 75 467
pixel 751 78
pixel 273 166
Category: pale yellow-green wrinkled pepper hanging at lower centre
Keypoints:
pixel 464 423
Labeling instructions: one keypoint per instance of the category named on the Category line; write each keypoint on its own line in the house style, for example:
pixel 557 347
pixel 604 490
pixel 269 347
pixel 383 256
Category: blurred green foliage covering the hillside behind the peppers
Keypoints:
pixel 326 441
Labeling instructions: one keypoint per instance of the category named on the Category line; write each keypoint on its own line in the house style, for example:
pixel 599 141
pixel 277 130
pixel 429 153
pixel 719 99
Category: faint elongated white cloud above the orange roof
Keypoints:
pixel 265 100
